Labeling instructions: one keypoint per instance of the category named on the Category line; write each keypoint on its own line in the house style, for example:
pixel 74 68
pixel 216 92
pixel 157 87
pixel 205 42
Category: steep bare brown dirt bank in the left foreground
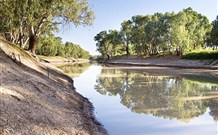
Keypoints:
pixel 34 102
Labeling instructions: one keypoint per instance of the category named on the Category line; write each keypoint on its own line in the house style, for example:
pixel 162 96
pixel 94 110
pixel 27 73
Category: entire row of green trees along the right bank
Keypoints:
pixel 168 33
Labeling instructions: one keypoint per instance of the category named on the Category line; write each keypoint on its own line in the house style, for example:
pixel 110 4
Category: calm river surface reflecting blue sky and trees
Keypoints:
pixel 136 102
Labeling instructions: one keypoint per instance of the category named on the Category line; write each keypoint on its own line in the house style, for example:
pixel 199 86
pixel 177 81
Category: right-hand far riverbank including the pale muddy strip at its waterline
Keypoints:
pixel 168 65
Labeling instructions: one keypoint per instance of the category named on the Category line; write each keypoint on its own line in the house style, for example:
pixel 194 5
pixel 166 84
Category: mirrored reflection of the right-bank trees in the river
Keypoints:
pixel 160 95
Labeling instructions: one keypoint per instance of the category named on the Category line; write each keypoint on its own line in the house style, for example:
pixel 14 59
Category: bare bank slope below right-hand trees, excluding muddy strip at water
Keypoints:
pixel 167 61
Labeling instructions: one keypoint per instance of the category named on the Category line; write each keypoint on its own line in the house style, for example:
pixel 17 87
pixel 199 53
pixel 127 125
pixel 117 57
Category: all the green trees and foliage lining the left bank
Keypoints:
pixel 29 24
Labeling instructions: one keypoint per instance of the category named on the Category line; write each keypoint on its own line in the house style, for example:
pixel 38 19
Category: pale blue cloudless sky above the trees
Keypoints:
pixel 111 13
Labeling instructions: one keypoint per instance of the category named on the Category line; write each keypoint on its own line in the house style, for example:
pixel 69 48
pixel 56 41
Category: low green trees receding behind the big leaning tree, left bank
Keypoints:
pixel 53 46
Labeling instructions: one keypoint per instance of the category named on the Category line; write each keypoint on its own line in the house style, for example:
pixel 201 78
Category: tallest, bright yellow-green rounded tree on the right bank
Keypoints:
pixel 189 31
